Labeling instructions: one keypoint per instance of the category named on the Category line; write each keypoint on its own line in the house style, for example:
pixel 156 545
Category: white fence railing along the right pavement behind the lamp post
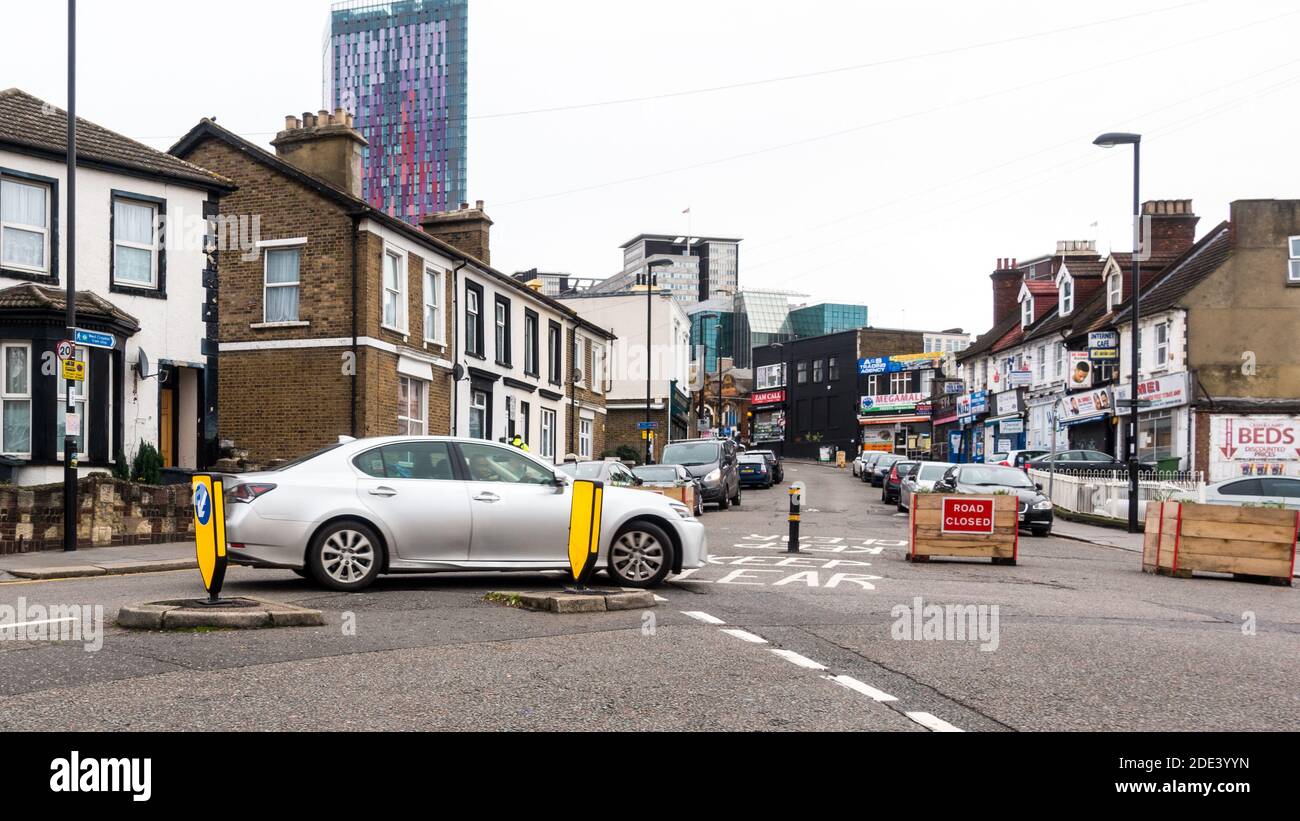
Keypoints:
pixel 1106 493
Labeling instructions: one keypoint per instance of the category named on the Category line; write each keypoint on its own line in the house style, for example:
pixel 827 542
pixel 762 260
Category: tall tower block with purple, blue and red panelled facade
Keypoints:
pixel 401 69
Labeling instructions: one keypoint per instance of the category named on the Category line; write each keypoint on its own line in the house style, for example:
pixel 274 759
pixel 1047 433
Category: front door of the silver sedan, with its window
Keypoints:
pixel 519 515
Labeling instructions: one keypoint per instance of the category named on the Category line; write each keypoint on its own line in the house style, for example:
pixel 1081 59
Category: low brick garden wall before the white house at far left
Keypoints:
pixel 110 512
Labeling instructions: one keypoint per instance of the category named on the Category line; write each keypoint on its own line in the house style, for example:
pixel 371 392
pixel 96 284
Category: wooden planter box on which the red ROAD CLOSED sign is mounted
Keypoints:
pixel 929 536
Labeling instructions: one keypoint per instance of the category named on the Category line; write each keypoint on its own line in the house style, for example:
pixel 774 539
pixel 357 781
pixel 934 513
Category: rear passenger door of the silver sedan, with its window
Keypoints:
pixel 411 488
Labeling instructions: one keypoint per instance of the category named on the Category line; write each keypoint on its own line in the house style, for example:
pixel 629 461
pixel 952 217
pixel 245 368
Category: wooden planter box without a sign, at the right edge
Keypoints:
pixel 1251 544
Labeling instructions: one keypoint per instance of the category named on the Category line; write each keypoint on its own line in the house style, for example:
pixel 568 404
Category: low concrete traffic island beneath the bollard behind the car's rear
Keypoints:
pixel 239 614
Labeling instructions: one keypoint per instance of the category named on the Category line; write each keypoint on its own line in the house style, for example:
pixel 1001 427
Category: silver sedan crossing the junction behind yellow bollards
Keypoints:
pixel 421 505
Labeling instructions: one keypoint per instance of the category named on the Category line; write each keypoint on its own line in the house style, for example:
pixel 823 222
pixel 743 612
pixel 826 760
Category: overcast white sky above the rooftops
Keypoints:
pixel 896 185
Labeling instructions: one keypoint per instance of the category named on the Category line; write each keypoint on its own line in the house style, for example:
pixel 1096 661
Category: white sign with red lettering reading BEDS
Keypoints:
pixel 1255 446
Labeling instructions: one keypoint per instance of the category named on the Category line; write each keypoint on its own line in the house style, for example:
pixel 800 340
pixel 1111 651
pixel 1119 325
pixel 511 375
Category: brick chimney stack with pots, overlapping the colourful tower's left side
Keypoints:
pixel 324 145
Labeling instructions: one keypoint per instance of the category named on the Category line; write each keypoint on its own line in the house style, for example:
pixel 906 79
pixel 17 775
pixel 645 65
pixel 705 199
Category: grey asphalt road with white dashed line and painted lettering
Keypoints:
pixel 760 640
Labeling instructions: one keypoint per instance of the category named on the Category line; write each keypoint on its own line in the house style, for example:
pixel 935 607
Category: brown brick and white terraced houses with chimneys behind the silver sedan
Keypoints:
pixel 340 320
